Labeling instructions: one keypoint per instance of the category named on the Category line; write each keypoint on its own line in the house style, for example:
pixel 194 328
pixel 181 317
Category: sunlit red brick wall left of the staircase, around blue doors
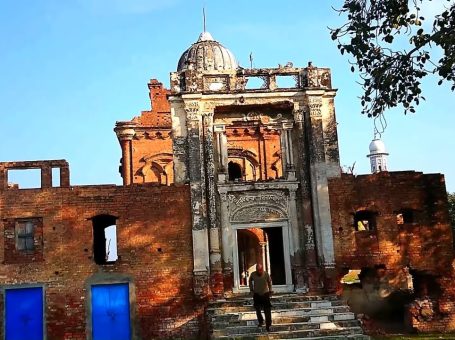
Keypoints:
pixel 154 249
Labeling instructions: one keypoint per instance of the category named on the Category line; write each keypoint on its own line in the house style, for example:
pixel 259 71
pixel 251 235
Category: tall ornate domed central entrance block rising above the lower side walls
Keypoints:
pixel 256 158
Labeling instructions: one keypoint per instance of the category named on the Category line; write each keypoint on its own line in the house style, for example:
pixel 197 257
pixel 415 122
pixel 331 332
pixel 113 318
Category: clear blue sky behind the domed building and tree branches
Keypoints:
pixel 70 69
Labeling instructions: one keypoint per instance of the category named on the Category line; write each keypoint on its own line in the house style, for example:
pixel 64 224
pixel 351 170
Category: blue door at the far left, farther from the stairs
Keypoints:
pixel 24 314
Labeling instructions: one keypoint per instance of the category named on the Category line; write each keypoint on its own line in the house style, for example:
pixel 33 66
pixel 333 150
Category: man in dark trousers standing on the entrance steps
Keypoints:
pixel 261 288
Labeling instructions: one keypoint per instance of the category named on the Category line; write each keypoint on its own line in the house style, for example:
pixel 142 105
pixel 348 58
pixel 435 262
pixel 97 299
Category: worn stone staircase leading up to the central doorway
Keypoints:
pixel 294 317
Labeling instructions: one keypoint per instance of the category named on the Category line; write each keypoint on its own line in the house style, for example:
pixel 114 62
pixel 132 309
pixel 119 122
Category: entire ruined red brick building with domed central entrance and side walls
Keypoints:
pixel 230 167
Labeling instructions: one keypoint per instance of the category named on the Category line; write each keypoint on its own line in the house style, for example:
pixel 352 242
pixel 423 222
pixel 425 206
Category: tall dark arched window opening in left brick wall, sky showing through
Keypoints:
pixel 104 239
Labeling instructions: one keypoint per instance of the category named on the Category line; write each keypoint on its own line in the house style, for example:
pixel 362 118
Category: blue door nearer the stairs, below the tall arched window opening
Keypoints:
pixel 111 312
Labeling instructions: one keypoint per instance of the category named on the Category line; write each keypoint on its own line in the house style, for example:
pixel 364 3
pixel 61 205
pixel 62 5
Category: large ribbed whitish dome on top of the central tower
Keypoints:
pixel 207 54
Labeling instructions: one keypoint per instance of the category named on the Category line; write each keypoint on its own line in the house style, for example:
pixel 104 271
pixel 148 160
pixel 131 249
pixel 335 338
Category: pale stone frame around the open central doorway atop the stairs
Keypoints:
pixel 285 230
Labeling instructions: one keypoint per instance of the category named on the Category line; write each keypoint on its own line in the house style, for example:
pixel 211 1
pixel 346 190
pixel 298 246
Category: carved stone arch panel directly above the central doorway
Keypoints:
pixel 260 206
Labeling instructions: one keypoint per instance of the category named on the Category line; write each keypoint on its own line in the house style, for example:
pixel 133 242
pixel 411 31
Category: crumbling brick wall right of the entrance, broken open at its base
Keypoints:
pixel 407 244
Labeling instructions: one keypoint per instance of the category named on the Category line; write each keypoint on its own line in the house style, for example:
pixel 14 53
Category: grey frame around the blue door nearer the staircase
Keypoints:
pixel 110 279
